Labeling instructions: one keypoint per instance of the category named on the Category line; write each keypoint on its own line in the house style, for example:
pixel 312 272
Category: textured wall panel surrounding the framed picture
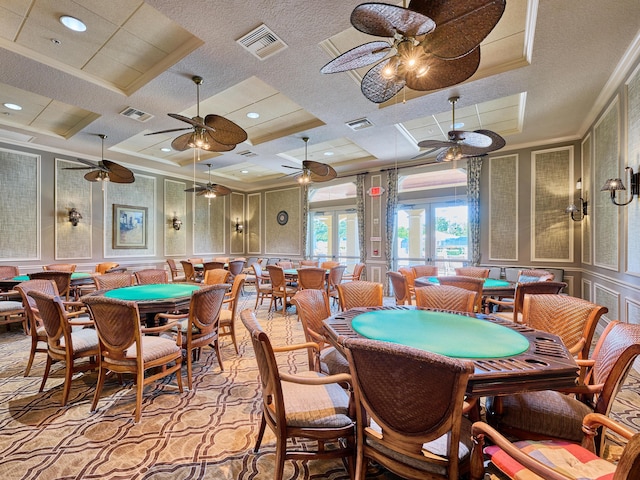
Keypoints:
pixel 141 193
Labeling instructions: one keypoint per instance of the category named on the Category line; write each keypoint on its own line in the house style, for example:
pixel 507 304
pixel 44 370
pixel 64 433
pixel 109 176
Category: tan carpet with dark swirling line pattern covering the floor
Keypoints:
pixel 207 433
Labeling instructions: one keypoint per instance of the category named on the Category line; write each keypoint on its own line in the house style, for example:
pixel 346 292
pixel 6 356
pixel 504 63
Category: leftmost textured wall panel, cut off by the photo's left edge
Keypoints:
pixel 20 200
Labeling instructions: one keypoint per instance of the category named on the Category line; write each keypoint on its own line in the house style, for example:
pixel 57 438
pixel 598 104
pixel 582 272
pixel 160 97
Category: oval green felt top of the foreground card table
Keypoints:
pixel 448 334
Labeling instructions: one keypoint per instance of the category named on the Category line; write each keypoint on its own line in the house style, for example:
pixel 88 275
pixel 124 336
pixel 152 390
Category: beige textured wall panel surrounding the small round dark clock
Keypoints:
pixel 283 239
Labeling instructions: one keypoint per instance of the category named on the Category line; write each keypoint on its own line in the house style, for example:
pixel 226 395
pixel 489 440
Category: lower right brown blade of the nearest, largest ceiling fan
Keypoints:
pixel 444 73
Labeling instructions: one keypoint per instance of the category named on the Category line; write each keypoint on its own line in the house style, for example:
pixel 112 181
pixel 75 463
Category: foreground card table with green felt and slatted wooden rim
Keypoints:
pixel 508 357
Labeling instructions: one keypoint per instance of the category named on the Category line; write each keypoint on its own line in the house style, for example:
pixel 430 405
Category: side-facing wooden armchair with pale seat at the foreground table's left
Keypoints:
pixel 310 406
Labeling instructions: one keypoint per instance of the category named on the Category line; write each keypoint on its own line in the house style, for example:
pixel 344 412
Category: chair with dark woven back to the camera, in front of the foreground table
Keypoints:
pixel 409 405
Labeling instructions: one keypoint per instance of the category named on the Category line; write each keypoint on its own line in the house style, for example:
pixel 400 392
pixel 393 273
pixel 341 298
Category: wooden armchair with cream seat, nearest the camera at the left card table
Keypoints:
pixel 124 347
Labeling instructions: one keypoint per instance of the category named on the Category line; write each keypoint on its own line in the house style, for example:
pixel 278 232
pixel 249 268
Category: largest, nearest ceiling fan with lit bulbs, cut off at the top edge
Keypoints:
pixel 432 44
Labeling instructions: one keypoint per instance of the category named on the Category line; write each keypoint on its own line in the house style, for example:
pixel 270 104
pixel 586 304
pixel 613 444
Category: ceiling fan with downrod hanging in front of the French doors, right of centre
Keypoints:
pixel 463 144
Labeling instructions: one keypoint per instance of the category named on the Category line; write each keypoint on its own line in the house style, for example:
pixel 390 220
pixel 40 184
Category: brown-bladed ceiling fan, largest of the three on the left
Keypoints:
pixel 212 133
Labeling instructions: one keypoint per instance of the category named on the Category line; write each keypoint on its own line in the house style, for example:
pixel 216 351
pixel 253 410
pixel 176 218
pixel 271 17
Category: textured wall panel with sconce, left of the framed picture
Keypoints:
pixel 72 190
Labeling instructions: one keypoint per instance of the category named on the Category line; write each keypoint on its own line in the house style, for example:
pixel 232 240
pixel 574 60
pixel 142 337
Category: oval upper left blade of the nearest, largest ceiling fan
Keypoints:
pixel 384 20
